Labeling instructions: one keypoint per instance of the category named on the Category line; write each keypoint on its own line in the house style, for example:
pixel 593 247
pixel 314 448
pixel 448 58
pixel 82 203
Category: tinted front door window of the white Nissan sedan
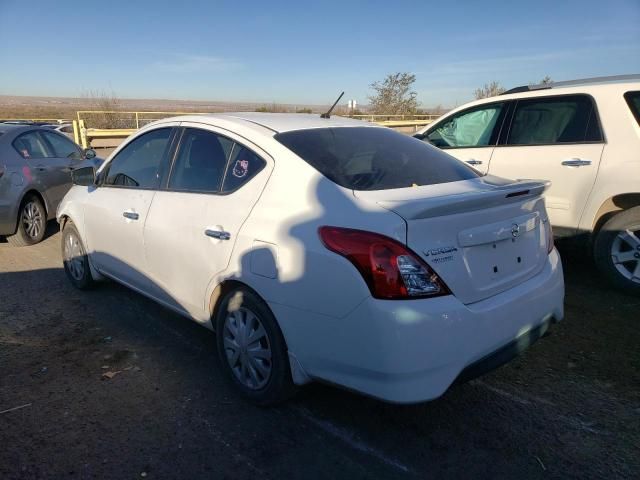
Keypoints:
pixel 138 164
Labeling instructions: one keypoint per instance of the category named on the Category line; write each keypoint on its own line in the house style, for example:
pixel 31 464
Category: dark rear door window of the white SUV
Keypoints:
pixel 544 121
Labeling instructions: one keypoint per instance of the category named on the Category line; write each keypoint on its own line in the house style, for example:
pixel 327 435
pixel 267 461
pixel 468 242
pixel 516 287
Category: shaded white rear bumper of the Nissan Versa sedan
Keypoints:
pixel 412 351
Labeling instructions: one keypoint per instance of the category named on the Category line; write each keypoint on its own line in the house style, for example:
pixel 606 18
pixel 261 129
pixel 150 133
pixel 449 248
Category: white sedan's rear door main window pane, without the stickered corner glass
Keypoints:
pixel 201 162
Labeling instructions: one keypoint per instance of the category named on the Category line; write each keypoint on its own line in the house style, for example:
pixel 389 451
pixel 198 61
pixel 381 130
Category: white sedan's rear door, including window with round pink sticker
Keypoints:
pixel 194 221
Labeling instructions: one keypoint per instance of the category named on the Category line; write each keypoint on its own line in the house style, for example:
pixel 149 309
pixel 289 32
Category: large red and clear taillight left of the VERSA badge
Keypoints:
pixel 390 269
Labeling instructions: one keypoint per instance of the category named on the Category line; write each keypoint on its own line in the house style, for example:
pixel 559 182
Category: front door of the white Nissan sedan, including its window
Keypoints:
pixel 116 210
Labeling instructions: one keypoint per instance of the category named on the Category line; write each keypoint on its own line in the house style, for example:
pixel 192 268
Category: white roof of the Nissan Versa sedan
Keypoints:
pixel 275 122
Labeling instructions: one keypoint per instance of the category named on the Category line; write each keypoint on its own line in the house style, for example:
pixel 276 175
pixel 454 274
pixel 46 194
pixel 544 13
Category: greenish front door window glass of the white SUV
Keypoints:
pixel 471 128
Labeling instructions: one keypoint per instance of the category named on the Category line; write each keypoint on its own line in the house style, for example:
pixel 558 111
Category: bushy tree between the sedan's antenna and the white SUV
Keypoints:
pixel 394 95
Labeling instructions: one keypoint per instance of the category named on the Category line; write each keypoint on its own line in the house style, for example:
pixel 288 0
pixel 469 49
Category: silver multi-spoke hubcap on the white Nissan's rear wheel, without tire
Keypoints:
pixel 247 348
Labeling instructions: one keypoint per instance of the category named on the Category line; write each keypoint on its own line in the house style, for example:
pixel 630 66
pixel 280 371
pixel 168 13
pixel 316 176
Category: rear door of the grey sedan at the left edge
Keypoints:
pixel 49 173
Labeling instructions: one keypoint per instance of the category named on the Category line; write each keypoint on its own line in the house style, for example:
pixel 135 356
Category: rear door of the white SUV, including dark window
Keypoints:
pixel 558 139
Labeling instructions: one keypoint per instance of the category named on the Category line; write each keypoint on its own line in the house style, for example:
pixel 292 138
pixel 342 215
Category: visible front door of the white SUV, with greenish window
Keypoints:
pixel 470 135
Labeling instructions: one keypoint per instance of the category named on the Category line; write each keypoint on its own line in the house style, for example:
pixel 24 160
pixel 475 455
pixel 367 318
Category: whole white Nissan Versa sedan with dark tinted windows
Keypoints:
pixel 320 249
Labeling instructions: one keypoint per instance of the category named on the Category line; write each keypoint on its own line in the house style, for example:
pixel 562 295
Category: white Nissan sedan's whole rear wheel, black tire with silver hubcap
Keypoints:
pixel 259 369
